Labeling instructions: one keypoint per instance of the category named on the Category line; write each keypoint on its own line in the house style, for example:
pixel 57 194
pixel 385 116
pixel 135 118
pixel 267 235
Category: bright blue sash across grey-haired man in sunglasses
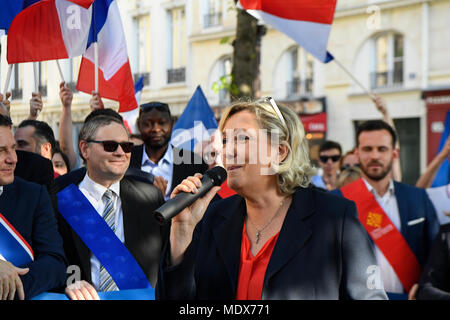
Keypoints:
pixel 100 239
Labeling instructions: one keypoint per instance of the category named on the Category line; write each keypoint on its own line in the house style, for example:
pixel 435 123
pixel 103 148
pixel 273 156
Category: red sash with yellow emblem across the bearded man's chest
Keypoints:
pixel 383 232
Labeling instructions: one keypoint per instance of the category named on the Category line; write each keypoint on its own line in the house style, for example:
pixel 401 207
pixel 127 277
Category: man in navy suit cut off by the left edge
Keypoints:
pixel 27 208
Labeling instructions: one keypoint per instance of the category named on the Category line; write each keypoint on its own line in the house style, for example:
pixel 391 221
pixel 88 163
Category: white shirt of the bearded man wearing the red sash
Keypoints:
pixel 389 204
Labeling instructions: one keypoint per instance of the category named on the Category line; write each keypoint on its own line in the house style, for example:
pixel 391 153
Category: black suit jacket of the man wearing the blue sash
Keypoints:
pixel 144 237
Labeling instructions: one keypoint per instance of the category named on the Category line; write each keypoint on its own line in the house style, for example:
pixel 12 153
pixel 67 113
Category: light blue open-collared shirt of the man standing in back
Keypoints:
pixel 164 167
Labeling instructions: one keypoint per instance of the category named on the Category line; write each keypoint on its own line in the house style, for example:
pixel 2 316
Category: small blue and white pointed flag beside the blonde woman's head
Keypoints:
pixel 196 123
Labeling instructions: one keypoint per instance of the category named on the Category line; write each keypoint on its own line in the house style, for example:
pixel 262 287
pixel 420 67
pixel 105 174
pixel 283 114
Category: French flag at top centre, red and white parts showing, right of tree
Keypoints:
pixel 307 22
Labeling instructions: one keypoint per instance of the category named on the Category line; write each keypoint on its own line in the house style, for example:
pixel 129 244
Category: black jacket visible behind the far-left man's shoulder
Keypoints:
pixel 35 168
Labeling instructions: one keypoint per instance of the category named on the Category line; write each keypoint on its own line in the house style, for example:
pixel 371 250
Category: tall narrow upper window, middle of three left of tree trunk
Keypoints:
pixel 177 45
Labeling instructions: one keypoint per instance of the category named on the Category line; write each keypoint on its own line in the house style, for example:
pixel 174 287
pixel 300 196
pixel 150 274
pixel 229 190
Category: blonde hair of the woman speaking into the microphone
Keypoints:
pixel 295 170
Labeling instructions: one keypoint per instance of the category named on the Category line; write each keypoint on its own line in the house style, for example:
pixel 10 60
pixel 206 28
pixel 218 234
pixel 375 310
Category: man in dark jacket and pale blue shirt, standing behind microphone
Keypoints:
pixel 157 155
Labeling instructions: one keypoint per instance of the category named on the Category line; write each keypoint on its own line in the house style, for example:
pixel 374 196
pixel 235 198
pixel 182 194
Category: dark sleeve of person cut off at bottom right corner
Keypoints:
pixel 434 282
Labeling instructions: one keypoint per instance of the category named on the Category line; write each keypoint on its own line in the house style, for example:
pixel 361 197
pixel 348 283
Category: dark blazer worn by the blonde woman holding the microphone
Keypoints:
pixel 322 252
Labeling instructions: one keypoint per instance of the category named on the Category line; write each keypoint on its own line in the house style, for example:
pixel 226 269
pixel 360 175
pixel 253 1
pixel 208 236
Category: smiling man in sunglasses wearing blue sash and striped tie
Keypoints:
pixel 105 216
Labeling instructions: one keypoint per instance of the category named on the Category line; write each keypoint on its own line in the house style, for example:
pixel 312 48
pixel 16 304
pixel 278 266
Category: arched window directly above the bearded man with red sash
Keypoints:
pixel 389 57
